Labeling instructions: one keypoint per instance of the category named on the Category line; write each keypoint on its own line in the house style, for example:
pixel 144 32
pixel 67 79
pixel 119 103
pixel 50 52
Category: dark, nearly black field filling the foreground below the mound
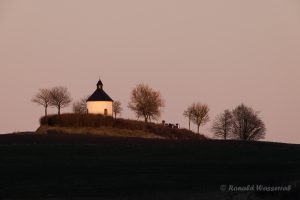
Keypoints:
pixel 69 166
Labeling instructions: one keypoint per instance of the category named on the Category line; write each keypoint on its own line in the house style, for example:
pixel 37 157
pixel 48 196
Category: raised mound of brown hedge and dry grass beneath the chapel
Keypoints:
pixel 108 126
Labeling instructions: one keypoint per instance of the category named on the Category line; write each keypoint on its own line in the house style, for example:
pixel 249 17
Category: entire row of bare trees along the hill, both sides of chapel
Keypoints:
pixel 241 123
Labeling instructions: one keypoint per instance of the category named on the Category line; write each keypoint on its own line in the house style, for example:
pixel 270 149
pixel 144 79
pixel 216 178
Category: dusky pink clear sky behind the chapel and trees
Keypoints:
pixel 222 53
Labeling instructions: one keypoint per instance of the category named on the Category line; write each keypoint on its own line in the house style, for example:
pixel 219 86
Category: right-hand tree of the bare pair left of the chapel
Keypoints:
pixel 60 98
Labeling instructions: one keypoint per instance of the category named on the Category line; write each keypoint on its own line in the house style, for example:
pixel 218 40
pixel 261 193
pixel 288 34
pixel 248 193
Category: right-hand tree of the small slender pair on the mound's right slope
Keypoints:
pixel 199 114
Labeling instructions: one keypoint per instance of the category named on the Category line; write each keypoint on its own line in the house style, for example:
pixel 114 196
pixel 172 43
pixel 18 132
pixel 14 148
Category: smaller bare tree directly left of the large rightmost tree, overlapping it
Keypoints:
pixel 222 125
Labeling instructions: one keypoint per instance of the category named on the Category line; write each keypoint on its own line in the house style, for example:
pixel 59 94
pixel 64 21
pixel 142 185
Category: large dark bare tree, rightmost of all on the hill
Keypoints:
pixel 246 124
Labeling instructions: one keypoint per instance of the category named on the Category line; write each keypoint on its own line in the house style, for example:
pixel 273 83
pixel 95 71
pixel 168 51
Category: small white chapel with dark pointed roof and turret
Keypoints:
pixel 99 102
